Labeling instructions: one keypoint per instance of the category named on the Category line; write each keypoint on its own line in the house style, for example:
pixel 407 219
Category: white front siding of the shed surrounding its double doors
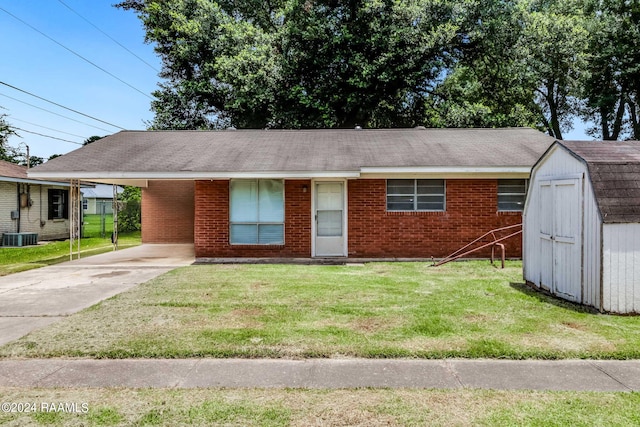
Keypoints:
pixel 557 164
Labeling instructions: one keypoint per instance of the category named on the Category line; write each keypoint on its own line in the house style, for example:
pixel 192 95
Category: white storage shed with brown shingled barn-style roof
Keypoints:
pixel 582 224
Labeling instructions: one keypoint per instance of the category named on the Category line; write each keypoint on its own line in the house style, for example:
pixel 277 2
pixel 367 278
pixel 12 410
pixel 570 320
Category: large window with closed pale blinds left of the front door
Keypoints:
pixel 256 212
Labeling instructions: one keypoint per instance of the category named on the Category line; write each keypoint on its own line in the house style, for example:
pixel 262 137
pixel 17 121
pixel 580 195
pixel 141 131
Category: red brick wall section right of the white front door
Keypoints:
pixel 471 210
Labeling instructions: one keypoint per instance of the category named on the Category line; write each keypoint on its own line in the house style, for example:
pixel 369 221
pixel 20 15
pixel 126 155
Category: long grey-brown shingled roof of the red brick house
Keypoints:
pixel 198 154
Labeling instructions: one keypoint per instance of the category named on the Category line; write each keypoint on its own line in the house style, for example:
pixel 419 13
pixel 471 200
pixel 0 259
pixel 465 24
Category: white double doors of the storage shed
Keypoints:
pixel 560 237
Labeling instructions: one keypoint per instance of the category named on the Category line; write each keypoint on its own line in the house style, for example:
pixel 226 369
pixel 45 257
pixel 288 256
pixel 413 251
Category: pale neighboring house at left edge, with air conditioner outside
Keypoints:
pixel 29 205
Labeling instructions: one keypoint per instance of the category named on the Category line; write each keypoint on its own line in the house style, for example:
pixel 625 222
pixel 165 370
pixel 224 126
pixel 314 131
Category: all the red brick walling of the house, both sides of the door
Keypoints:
pixel 471 210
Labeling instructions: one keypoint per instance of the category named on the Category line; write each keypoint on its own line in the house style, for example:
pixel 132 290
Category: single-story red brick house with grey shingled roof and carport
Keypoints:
pixel 401 193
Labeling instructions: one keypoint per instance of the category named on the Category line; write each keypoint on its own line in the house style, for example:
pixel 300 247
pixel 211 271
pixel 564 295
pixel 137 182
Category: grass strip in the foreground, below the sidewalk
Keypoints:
pixel 362 407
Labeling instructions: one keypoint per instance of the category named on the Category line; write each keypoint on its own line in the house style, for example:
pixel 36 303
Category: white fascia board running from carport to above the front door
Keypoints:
pixel 188 175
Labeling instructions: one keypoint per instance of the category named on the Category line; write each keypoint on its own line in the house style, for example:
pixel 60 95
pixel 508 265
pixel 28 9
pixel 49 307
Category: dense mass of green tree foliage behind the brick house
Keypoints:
pixel 385 63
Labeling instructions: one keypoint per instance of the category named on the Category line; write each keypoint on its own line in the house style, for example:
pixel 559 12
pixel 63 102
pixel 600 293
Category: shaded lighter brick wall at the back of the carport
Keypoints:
pixel 167 212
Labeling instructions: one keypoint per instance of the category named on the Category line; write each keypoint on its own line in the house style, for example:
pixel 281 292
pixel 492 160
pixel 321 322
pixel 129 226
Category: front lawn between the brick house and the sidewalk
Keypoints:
pixel 379 310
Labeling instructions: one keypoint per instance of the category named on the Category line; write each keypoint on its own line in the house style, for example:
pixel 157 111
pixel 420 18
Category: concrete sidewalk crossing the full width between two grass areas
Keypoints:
pixel 570 375
